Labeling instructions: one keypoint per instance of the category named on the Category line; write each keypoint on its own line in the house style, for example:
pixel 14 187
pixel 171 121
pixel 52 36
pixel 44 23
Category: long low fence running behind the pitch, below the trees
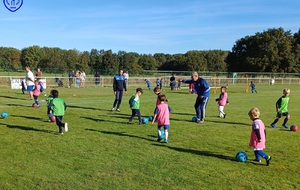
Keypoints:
pixel 5 81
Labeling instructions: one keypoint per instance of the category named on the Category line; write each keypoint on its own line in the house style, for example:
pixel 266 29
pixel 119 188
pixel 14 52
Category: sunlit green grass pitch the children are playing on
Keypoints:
pixel 101 151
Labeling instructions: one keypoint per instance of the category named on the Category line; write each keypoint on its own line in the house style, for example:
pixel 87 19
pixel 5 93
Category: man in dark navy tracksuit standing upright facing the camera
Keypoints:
pixel 118 86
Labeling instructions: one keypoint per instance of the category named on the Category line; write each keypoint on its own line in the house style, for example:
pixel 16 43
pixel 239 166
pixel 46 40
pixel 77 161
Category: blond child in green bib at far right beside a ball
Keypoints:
pixel 282 108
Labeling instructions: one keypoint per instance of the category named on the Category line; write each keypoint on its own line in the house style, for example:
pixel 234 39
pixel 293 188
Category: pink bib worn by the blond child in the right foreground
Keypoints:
pixel 258 124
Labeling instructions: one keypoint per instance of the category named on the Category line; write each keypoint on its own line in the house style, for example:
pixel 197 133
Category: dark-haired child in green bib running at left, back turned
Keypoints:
pixel 57 107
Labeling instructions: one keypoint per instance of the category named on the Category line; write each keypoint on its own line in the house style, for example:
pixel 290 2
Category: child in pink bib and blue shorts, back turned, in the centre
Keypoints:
pixel 162 116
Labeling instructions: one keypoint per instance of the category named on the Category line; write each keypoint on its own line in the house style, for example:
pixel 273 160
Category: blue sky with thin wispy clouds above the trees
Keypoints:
pixel 142 26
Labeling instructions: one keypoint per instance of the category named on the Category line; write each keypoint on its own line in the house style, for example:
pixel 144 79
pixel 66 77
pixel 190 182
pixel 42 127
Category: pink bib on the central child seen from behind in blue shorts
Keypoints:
pixel 163 114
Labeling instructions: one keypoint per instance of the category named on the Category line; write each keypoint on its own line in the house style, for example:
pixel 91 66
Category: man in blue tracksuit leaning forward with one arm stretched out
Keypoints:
pixel 203 91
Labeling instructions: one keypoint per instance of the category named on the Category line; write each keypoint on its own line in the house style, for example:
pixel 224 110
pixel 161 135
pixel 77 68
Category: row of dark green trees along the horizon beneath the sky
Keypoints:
pixel 274 50
